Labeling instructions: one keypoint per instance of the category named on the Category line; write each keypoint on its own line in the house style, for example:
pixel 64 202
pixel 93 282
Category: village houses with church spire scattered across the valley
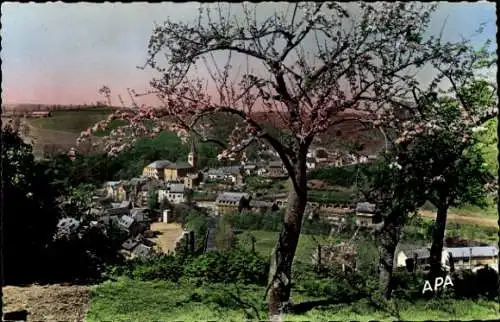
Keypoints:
pixel 221 191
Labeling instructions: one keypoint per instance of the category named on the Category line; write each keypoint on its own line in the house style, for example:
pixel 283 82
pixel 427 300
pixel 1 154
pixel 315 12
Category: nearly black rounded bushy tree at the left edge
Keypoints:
pixel 29 210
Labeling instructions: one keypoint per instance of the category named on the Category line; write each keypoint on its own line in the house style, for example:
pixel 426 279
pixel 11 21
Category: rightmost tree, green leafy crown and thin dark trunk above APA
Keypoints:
pixel 460 172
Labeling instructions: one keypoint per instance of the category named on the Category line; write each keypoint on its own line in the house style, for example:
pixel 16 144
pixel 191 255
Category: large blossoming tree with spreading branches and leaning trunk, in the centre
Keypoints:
pixel 359 67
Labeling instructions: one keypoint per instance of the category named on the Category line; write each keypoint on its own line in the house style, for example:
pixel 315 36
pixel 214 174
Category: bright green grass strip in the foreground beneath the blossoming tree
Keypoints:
pixel 127 299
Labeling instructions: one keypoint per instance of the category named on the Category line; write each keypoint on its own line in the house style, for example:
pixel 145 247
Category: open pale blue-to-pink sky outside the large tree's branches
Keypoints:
pixel 60 53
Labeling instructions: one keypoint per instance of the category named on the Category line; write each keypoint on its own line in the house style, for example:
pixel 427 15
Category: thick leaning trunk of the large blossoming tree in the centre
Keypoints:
pixel 280 274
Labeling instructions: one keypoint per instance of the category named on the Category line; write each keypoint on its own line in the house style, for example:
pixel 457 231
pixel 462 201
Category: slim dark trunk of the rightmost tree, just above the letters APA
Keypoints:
pixel 438 237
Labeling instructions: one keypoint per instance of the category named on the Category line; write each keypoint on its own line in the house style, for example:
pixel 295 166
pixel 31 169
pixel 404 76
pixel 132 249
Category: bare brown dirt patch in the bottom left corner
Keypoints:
pixel 48 302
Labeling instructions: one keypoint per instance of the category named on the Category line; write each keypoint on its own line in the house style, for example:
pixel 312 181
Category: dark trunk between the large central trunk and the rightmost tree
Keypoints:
pixel 388 241
